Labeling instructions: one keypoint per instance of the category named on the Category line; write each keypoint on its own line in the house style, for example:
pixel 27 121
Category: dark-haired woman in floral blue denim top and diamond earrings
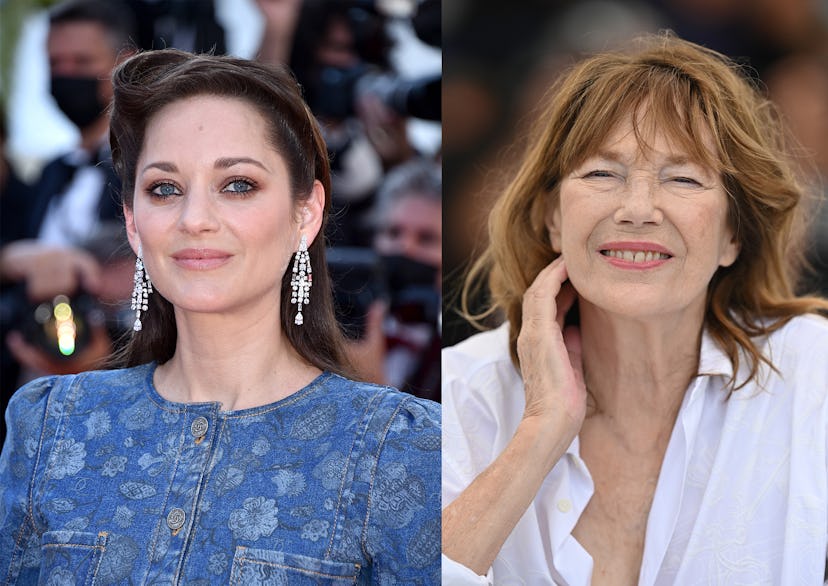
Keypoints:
pixel 231 448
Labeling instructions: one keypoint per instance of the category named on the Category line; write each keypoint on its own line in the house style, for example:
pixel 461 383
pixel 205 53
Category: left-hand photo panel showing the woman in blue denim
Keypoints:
pixel 220 291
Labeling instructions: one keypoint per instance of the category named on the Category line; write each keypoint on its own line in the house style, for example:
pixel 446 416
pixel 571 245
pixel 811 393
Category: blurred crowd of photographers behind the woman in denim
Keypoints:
pixel 371 73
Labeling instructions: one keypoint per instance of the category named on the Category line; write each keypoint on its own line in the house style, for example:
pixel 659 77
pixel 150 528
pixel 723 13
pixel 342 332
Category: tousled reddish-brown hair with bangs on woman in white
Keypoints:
pixel 689 92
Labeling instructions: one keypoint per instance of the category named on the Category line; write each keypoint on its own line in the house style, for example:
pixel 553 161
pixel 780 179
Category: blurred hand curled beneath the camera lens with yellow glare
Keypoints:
pixel 37 360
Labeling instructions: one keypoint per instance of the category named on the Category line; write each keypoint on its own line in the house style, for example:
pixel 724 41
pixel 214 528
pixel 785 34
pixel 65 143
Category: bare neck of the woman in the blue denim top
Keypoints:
pixel 238 362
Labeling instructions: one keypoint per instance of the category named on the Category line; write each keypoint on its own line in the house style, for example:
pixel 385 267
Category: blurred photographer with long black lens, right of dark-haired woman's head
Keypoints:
pixel 341 56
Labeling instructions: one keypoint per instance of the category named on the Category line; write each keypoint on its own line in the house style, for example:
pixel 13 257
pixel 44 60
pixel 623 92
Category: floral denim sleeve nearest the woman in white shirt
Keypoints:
pixel 403 530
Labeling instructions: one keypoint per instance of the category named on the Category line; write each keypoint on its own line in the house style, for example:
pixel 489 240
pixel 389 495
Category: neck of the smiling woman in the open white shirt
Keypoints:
pixel 637 370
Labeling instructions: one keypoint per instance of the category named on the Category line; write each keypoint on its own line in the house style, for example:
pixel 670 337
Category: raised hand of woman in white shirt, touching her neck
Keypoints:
pixel 550 356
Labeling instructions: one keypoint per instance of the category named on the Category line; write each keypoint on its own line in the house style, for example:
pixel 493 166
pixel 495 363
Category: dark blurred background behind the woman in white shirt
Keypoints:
pixel 500 57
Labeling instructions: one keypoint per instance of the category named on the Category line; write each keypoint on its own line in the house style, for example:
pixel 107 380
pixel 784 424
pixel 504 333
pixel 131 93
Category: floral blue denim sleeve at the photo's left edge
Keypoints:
pixel 22 451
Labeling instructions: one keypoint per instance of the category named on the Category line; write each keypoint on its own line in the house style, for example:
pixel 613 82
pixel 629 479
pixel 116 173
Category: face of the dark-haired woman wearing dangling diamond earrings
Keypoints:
pixel 213 211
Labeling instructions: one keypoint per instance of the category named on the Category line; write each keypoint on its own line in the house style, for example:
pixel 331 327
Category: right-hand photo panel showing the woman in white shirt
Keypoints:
pixel 635 363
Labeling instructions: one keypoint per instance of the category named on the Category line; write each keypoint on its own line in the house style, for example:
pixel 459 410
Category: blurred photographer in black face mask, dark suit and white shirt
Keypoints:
pixel 75 196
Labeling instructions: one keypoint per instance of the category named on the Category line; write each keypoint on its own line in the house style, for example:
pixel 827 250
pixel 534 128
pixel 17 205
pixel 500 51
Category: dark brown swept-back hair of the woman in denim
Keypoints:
pixel 150 81
